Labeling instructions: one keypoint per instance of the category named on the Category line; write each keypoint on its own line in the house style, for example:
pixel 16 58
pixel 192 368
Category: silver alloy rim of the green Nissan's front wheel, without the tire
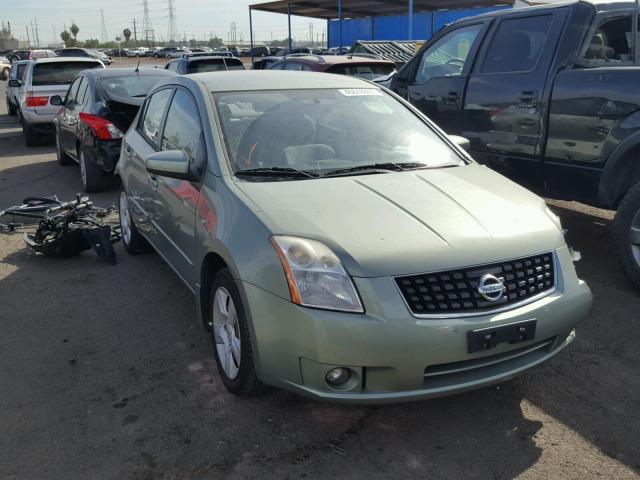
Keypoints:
pixel 226 331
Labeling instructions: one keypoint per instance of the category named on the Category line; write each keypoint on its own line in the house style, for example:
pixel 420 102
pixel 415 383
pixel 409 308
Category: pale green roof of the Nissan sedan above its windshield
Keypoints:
pixel 248 80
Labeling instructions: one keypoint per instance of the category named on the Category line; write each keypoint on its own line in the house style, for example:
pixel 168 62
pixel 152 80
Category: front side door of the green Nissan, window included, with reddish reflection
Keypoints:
pixel 177 200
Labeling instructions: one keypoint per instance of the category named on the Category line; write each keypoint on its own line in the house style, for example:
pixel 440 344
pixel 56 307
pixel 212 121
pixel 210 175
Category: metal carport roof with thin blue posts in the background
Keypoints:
pixel 340 9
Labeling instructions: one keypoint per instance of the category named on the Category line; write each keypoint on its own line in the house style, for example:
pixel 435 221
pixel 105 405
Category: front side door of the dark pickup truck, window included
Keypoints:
pixel 438 76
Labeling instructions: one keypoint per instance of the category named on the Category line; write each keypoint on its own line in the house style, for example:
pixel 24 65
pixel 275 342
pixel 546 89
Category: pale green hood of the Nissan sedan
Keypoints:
pixel 411 222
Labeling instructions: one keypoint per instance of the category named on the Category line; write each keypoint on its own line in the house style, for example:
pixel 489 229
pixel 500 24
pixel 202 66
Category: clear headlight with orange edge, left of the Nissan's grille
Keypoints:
pixel 315 275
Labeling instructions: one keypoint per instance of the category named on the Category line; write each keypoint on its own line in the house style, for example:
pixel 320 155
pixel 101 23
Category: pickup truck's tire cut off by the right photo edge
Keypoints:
pixel 626 228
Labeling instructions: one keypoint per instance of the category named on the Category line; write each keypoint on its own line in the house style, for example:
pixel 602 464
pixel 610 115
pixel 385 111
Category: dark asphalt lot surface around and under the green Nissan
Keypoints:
pixel 107 375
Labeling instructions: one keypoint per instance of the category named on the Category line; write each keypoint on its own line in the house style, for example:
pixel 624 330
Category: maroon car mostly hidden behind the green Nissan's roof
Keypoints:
pixel 351 65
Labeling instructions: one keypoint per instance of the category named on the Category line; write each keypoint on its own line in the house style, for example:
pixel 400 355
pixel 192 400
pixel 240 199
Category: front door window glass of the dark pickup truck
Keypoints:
pixel 448 56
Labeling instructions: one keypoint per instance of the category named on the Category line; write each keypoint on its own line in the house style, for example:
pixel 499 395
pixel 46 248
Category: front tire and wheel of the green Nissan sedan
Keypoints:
pixel 230 333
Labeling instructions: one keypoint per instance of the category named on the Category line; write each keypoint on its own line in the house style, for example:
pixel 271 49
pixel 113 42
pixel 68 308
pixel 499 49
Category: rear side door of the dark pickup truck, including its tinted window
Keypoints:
pixel 505 103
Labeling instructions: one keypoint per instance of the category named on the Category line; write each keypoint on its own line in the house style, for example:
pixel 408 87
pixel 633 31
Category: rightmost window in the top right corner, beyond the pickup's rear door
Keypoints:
pixel 611 43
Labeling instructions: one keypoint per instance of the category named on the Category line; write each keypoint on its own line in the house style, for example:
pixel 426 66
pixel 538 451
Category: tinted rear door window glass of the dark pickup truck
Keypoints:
pixel 517 44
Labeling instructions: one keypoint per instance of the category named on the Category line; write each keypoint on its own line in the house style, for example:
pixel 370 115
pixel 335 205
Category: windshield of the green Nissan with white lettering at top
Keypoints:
pixel 325 131
